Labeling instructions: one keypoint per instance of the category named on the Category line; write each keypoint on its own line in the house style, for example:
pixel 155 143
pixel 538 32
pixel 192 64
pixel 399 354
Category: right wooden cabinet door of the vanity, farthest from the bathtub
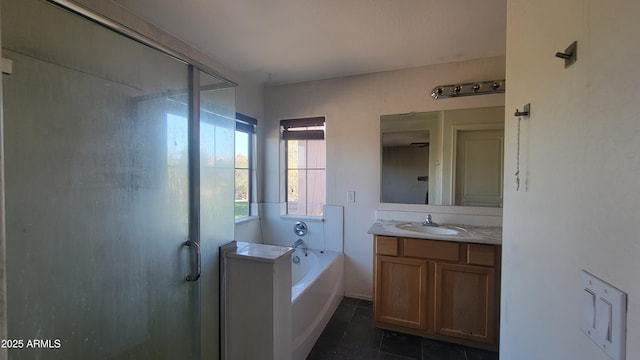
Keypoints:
pixel 465 302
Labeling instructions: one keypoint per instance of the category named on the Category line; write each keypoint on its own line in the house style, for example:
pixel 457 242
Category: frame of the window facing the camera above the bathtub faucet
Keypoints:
pixel 286 134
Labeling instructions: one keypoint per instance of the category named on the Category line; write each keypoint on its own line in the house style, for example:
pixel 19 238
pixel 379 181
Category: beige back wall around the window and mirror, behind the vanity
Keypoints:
pixel 353 106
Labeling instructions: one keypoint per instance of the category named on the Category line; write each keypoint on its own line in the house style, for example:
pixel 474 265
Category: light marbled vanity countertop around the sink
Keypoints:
pixel 491 235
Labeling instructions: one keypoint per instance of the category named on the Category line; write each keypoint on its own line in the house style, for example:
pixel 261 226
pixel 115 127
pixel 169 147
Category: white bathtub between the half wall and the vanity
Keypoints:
pixel 317 289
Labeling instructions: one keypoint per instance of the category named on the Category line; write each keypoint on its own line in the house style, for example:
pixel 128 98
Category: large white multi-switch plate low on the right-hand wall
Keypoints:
pixel 604 315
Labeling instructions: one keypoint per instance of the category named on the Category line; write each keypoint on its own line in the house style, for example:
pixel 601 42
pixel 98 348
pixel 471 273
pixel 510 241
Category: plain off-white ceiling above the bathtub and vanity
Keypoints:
pixel 286 41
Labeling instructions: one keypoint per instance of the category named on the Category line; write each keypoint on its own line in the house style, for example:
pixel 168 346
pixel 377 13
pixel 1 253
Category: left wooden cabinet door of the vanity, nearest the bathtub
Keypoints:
pixel 400 291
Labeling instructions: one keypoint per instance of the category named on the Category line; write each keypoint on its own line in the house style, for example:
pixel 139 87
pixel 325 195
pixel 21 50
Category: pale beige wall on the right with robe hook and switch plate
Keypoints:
pixel 579 204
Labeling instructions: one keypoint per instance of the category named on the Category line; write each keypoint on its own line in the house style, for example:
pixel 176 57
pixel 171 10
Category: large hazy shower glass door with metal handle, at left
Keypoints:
pixel 96 163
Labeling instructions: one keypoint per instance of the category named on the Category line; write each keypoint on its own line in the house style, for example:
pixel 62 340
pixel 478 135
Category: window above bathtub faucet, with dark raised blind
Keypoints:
pixel 306 165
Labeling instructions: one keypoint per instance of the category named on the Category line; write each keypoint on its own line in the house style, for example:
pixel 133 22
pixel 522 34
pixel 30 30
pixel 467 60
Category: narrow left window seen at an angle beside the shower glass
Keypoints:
pixel 245 140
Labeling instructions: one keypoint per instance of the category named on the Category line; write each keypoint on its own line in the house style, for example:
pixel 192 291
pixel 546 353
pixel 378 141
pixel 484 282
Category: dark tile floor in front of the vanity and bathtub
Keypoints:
pixel 351 334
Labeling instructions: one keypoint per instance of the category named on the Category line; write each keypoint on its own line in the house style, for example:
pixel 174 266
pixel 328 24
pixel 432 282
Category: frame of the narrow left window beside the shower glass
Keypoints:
pixel 248 125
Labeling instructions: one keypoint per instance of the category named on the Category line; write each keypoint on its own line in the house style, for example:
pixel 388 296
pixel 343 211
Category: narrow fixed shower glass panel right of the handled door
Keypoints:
pixel 217 193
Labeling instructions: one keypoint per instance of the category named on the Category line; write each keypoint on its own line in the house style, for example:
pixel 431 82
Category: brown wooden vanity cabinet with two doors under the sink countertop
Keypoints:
pixel 438 289
